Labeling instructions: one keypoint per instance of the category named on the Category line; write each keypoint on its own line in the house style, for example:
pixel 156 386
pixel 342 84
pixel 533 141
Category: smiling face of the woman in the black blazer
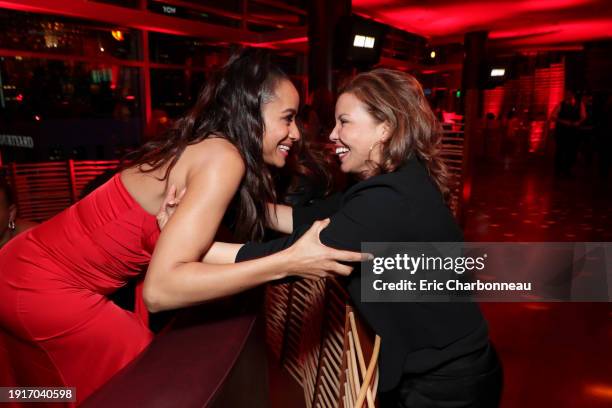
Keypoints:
pixel 358 136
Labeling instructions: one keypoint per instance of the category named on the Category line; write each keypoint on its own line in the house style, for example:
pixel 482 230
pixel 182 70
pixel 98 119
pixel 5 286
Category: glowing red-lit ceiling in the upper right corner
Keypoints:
pixel 522 21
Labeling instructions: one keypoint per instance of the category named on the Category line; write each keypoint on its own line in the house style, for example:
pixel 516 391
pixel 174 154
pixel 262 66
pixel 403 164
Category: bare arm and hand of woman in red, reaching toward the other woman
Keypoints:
pixel 176 277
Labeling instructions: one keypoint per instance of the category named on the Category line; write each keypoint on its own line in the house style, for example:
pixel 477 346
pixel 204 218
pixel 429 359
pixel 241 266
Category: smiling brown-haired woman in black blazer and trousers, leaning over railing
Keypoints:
pixel 432 354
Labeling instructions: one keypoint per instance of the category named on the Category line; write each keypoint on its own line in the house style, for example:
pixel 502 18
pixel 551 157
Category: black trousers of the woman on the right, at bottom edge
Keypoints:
pixel 473 381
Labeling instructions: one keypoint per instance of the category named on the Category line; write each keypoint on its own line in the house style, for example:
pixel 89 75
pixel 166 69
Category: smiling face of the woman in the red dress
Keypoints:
pixel 280 128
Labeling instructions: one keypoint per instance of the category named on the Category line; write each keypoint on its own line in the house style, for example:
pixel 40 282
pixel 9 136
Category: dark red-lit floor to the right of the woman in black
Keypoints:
pixel 554 354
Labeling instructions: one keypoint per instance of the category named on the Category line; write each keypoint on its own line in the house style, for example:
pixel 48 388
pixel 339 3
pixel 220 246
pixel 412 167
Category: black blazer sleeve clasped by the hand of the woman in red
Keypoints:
pixel 368 215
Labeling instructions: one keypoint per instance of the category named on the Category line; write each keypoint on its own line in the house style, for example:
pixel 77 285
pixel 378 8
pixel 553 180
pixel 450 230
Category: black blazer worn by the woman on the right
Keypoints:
pixel 403 206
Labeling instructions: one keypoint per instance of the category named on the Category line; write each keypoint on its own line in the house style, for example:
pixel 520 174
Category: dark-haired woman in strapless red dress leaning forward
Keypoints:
pixel 56 323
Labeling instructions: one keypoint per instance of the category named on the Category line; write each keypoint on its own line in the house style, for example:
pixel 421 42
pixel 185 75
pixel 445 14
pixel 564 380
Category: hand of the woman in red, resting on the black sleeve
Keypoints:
pixel 309 258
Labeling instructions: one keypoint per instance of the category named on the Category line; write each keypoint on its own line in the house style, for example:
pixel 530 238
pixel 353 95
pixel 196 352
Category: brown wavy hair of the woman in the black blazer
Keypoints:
pixel 397 98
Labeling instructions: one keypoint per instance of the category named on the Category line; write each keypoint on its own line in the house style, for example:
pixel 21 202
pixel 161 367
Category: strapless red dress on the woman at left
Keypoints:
pixel 57 327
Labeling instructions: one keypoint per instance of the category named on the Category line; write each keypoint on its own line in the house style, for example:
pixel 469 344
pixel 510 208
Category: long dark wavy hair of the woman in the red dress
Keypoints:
pixel 229 106
